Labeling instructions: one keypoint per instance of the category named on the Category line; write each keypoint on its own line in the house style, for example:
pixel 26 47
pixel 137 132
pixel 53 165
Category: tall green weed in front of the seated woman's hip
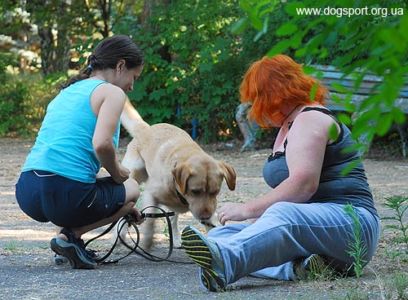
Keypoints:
pixel 357 249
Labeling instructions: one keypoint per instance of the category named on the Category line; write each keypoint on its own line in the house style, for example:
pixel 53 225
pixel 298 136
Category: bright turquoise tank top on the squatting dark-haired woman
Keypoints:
pixel 64 142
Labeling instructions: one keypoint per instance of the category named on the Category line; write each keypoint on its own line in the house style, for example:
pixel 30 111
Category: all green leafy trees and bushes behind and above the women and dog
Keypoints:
pixel 197 51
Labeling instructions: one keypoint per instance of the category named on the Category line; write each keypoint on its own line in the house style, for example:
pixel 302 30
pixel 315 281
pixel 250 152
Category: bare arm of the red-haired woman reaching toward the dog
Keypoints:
pixel 305 151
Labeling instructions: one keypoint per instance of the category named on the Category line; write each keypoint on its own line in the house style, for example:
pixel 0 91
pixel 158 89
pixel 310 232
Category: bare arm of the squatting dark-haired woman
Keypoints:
pixel 111 105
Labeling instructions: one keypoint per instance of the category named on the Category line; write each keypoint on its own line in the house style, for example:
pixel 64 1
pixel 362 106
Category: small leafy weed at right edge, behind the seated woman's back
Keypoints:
pixel 399 206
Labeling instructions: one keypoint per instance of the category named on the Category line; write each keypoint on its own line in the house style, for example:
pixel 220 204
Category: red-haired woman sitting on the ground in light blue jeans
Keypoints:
pixel 302 219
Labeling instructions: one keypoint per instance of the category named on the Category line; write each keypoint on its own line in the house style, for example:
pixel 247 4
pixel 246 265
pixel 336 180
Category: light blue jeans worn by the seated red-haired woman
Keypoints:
pixel 289 231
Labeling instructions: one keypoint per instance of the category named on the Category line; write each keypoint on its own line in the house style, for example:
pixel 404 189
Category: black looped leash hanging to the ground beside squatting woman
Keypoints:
pixel 135 248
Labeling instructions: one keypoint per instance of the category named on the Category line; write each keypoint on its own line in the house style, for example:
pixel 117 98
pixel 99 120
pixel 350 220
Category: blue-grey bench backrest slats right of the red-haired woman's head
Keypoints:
pixel 331 76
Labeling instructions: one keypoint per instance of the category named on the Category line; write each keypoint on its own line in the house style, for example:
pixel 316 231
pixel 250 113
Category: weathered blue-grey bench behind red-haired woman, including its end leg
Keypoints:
pixel 330 77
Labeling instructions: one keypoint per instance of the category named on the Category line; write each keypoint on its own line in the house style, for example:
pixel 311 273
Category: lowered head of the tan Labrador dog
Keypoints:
pixel 199 181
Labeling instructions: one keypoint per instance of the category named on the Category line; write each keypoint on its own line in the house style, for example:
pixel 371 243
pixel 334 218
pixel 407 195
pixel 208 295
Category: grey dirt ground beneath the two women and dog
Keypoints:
pixel 27 270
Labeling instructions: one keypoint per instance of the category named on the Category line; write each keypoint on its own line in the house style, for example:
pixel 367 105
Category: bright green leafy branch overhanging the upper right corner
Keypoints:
pixel 359 45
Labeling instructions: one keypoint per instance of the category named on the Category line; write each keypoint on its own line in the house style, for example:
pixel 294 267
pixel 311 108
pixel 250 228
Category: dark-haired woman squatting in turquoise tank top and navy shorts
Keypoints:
pixel 78 136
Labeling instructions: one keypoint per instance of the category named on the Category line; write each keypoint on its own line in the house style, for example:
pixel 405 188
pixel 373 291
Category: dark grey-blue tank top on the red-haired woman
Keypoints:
pixel 333 187
